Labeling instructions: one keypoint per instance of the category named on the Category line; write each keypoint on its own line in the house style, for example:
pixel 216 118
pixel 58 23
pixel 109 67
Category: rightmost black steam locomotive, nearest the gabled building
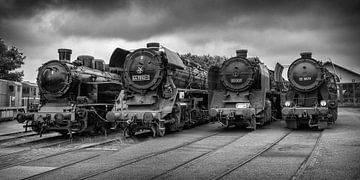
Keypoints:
pixel 312 96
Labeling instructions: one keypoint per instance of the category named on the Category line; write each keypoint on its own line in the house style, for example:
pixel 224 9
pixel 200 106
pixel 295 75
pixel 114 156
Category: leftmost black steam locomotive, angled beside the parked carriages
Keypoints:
pixel 75 96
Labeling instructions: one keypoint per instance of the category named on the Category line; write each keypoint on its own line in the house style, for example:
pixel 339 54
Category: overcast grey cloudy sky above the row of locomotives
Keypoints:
pixel 275 31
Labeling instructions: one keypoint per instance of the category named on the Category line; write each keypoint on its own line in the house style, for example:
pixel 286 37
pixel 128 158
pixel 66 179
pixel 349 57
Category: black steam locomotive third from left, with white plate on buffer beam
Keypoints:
pixel 243 92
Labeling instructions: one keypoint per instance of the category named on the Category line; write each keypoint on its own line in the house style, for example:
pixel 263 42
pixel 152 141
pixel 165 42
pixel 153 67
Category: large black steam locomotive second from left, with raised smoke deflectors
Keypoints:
pixel 161 92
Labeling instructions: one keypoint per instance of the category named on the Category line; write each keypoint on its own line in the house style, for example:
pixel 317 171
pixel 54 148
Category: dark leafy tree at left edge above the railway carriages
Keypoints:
pixel 10 59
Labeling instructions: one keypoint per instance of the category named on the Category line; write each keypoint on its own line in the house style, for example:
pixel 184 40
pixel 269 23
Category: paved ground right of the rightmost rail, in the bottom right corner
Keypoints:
pixel 338 155
